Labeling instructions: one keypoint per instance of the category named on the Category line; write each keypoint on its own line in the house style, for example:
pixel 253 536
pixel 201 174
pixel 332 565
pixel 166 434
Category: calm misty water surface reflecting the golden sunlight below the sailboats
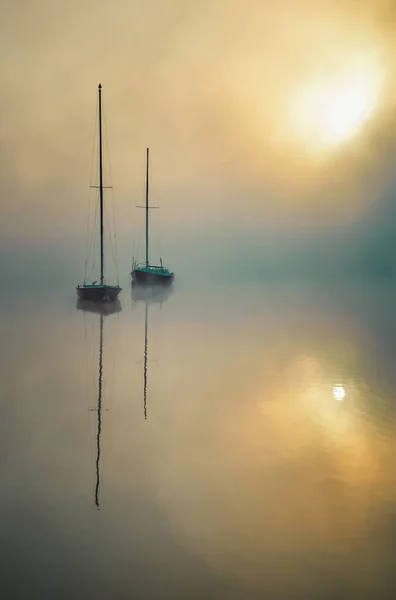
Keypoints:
pixel 251 456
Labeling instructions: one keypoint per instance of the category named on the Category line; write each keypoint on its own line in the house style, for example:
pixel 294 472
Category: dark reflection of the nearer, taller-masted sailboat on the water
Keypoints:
pixel 103 309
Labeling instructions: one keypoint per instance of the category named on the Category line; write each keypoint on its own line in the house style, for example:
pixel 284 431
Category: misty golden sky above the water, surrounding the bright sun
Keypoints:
pixel 207 86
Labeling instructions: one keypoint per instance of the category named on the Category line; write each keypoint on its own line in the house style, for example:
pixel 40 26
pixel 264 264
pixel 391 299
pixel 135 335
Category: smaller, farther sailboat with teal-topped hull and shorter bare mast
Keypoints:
pixel 144 273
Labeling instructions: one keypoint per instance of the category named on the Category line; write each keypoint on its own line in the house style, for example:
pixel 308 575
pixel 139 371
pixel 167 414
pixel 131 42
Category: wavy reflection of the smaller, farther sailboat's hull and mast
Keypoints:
pixel 148 294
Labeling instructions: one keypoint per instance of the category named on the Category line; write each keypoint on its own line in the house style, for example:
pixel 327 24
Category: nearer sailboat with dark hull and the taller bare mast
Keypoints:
pixel 99 292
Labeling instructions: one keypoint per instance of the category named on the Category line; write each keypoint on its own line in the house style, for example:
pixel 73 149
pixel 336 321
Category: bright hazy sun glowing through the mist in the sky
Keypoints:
pixel 328 111
